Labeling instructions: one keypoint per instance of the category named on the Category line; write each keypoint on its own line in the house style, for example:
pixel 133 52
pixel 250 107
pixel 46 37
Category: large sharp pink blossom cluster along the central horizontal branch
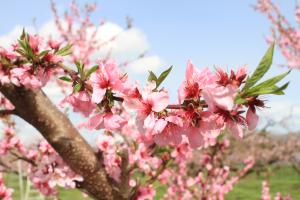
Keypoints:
pixel 207 103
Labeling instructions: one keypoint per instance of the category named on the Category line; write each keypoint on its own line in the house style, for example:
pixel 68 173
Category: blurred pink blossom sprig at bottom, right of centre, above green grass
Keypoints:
pixel 207 179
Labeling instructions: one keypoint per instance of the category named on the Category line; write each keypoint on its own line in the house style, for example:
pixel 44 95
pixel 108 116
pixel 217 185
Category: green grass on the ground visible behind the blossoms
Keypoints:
pixel 284 180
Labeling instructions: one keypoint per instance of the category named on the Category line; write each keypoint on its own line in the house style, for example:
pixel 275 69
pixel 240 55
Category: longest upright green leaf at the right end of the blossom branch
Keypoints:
pixel 262 68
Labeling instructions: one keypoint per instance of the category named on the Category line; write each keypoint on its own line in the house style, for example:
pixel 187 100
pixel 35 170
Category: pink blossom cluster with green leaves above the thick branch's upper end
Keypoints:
pixel 30 62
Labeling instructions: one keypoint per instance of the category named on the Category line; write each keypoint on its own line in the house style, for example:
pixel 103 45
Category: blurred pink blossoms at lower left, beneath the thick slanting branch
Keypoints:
pixel 45 168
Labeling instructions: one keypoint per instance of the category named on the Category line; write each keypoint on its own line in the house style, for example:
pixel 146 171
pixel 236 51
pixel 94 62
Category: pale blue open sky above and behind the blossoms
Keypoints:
pixel 224 33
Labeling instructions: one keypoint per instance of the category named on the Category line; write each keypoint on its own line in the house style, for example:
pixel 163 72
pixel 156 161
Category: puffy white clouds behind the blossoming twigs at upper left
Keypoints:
pixel 128 45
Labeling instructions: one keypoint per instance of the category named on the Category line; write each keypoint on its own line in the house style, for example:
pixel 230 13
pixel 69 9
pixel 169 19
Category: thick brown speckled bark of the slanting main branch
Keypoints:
pixel 36 108
